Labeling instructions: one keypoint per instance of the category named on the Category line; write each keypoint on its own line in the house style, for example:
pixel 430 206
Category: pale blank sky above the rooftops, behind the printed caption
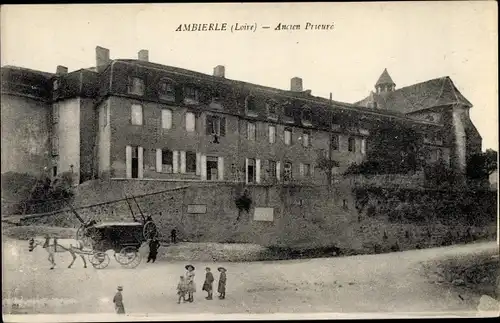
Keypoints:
pixel 415 41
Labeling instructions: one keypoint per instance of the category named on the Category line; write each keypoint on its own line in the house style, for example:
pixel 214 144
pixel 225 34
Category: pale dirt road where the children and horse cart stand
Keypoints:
pixel 394 282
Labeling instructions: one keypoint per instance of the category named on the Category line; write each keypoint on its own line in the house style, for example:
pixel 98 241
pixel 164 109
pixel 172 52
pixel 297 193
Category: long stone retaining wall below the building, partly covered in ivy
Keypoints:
pixel 304 217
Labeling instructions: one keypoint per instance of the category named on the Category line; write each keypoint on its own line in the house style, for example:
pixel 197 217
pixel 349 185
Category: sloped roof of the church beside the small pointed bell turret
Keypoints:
pixel 420 96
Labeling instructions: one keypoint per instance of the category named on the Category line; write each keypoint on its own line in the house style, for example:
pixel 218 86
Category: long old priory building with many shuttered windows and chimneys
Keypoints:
pixel 128 118
